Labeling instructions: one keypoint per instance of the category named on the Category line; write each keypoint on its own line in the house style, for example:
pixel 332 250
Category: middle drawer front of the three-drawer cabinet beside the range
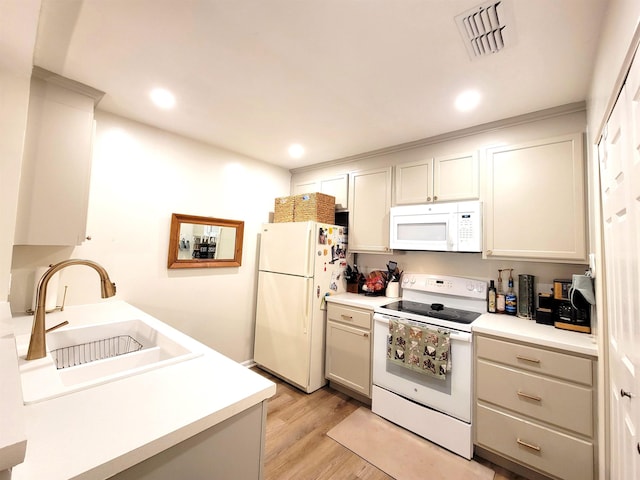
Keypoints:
pixel 552 401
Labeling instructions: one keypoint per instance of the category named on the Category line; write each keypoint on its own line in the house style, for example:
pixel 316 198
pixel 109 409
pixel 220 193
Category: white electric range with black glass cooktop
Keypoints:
pixel 435 408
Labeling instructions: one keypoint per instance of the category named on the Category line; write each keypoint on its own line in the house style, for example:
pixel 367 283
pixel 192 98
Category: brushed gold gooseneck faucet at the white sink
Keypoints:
pixel 37 343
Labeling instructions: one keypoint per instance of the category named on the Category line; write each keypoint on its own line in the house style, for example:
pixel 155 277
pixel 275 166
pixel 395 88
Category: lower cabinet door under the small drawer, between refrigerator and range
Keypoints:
pixel 348 358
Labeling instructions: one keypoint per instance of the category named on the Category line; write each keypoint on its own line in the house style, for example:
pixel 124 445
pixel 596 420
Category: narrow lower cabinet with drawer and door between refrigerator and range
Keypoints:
pixel 348 350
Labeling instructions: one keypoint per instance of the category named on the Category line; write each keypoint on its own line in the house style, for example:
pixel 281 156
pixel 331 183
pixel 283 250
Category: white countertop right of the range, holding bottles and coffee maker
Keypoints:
pixel 521 329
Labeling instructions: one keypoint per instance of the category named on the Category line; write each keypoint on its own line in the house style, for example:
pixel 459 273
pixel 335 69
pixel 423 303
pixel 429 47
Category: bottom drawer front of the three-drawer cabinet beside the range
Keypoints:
pixel 543 449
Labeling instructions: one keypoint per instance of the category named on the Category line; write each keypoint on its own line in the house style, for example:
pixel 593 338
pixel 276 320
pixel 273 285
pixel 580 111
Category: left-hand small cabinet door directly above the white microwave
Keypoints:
pixel 414 182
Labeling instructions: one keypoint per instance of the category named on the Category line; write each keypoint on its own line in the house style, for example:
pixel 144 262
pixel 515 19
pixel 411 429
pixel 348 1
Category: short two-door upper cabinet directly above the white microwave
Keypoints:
pixel 440 179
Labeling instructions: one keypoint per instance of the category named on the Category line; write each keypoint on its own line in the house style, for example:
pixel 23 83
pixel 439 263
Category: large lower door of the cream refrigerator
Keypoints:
pixel 283 331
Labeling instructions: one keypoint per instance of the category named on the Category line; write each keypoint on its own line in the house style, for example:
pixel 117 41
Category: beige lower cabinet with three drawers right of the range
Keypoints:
pixel 536 407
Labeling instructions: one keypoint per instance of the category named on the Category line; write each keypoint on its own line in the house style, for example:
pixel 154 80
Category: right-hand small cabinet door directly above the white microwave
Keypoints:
pixel 456 177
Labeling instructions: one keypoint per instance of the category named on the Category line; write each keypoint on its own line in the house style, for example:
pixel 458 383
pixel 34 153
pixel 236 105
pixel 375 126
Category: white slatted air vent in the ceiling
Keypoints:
pixel 484 29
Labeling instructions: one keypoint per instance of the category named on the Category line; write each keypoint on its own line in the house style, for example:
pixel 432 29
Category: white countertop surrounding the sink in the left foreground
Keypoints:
pixel 98 432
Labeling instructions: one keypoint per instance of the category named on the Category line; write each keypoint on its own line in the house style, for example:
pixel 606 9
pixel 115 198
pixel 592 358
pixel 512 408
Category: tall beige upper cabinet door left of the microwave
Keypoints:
pixel 369 203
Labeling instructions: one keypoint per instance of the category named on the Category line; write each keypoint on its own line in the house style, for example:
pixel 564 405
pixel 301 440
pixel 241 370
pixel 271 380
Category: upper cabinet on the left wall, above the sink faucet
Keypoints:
pixel 56 167
